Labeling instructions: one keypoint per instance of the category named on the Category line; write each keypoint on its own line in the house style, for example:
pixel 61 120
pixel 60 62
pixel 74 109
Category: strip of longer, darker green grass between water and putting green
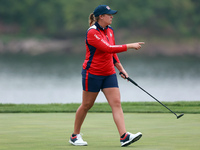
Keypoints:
pixel 128 107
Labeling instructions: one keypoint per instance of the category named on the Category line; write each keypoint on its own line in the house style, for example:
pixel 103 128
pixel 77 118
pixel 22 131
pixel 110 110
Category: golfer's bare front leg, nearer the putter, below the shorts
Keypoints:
pixel 113 97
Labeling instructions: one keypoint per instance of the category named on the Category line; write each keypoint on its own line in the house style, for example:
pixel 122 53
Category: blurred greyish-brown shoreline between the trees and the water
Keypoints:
pixel 152 47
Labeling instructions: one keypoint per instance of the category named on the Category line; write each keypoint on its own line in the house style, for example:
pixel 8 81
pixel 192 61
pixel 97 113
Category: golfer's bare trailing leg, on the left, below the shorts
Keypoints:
pixel 87 103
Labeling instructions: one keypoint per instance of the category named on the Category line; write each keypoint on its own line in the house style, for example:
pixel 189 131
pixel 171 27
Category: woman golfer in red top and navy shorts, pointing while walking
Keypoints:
pixel 99 73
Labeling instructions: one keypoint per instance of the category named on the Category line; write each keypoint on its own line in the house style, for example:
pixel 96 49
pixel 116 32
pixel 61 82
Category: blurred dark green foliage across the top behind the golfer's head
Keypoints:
pixel 64 18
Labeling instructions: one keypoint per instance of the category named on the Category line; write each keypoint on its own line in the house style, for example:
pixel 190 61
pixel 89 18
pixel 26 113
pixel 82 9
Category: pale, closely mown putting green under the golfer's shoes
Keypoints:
pixel 51 131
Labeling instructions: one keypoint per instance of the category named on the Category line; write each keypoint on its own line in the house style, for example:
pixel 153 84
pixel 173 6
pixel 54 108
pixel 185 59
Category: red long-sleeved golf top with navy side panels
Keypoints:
pixel 101 51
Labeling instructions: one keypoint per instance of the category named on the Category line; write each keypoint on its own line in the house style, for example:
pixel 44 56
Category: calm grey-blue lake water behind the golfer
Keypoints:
pixel 56 78
